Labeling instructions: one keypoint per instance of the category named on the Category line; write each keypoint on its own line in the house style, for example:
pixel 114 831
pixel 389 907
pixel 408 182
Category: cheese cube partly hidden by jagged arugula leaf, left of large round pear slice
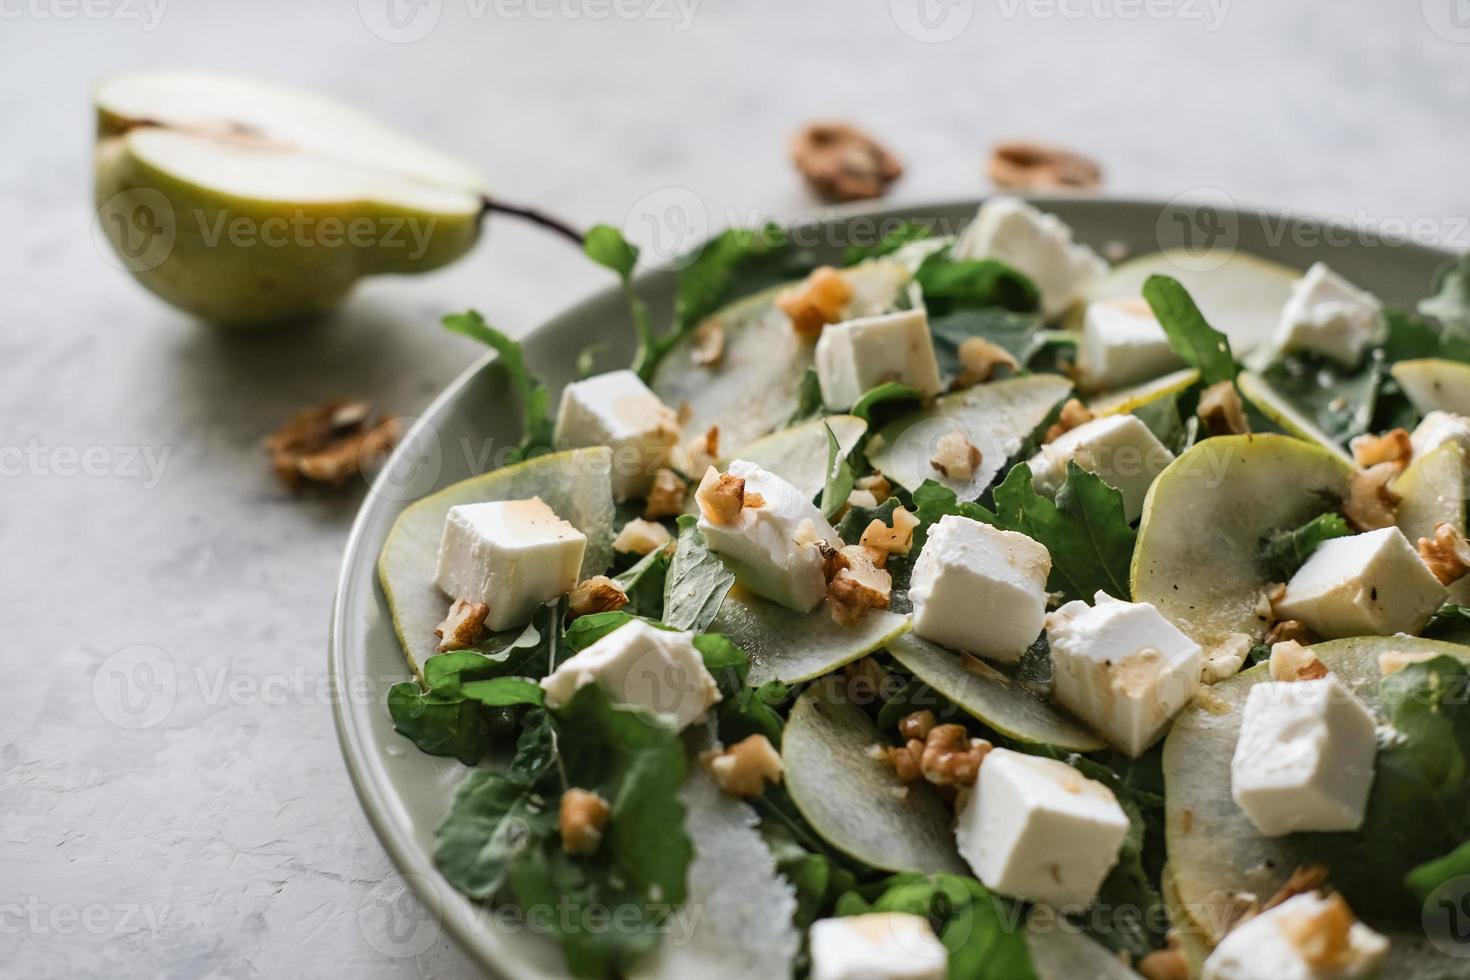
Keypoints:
pixel 1121 450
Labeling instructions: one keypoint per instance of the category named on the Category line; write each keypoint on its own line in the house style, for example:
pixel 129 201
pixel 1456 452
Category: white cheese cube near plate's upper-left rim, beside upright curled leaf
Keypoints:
pixel 620 412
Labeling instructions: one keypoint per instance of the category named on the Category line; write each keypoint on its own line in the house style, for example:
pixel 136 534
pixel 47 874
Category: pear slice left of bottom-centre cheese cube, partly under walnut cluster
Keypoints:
pixel 853 800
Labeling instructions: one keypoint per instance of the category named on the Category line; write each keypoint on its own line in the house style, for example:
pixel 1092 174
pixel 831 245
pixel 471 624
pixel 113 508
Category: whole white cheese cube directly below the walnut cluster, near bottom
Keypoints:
pixel 1039 829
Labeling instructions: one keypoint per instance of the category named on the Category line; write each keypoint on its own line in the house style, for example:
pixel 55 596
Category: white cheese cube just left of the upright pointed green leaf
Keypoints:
pixel 1122 345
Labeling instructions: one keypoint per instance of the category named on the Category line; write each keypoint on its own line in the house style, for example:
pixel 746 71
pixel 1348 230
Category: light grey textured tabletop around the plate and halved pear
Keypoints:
pixel 171 796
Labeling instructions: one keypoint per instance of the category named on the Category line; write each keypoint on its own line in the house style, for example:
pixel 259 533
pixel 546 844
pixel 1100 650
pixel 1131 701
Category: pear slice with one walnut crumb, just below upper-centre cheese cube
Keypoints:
pixel 996 419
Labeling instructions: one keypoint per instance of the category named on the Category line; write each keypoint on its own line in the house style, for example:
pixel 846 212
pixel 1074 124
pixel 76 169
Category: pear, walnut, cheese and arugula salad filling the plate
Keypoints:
pixel 972 609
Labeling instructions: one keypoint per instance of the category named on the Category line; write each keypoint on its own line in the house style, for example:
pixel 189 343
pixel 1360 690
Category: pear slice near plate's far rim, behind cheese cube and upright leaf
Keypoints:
pixel 1241 295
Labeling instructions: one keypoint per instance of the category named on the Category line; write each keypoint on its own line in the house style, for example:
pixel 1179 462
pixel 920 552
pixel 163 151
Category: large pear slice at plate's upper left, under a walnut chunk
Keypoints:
pixel 753 389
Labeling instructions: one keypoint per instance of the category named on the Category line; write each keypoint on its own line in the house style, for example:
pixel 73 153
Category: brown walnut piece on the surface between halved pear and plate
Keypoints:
pixel 330 444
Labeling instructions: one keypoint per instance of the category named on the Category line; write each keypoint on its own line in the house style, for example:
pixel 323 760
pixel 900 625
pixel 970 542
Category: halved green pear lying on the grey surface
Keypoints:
pixel 249 203
